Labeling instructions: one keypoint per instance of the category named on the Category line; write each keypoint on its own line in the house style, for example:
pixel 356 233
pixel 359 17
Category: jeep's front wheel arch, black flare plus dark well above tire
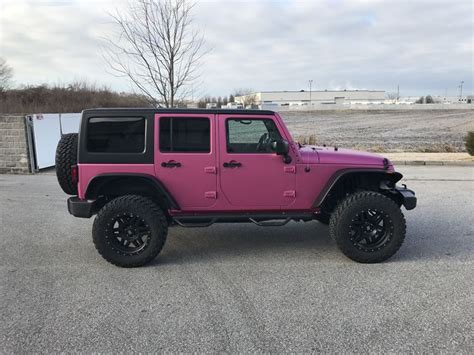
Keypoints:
pixel 349 180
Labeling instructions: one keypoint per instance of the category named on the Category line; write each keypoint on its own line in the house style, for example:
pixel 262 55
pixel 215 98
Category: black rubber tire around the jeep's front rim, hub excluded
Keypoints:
pixel 342 223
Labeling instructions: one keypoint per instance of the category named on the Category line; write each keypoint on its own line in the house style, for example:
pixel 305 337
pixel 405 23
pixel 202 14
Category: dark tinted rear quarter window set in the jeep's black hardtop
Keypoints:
pixel 116 135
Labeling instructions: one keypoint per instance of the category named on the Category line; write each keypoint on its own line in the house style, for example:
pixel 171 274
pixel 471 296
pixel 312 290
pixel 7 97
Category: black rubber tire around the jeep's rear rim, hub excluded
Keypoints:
pixel 130 205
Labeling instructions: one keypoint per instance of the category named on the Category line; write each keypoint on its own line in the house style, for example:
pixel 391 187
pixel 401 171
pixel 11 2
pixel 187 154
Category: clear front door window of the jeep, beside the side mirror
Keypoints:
pixel 251 136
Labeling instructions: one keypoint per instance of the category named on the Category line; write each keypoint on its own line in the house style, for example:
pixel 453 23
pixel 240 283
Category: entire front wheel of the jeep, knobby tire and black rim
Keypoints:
pixel 368 227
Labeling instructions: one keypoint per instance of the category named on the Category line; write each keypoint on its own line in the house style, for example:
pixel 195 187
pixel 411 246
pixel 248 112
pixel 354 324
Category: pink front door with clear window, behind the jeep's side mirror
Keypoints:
pixel 252 175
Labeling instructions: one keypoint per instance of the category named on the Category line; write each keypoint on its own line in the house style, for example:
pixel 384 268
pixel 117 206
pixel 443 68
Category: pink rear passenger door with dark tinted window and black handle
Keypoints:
pixel 185 158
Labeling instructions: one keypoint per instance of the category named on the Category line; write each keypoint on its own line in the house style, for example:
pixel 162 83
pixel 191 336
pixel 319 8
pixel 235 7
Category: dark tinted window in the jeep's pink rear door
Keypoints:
pixel 185 135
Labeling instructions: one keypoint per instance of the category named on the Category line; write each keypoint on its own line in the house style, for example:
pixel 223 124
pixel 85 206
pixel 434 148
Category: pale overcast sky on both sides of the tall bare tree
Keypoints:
pixel 424 46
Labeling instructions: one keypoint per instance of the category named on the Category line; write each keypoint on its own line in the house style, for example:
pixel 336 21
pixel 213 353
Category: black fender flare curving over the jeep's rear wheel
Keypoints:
pixel 100 181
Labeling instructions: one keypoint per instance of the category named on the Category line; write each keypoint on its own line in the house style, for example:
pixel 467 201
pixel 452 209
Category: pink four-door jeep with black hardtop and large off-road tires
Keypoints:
pixel 143 170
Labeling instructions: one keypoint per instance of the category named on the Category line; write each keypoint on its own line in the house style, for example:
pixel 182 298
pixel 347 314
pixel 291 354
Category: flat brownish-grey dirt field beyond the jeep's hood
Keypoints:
pixel 415 131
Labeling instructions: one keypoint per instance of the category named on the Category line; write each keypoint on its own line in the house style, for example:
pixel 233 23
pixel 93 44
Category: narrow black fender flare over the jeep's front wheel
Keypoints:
pixel 391 176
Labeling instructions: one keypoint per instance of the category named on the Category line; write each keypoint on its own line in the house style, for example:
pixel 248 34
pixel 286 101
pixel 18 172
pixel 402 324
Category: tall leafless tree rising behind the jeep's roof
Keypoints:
pixel 157 49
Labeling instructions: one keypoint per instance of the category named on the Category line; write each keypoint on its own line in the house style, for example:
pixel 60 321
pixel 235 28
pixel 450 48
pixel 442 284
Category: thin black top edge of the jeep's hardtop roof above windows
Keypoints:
pixel 177 110
